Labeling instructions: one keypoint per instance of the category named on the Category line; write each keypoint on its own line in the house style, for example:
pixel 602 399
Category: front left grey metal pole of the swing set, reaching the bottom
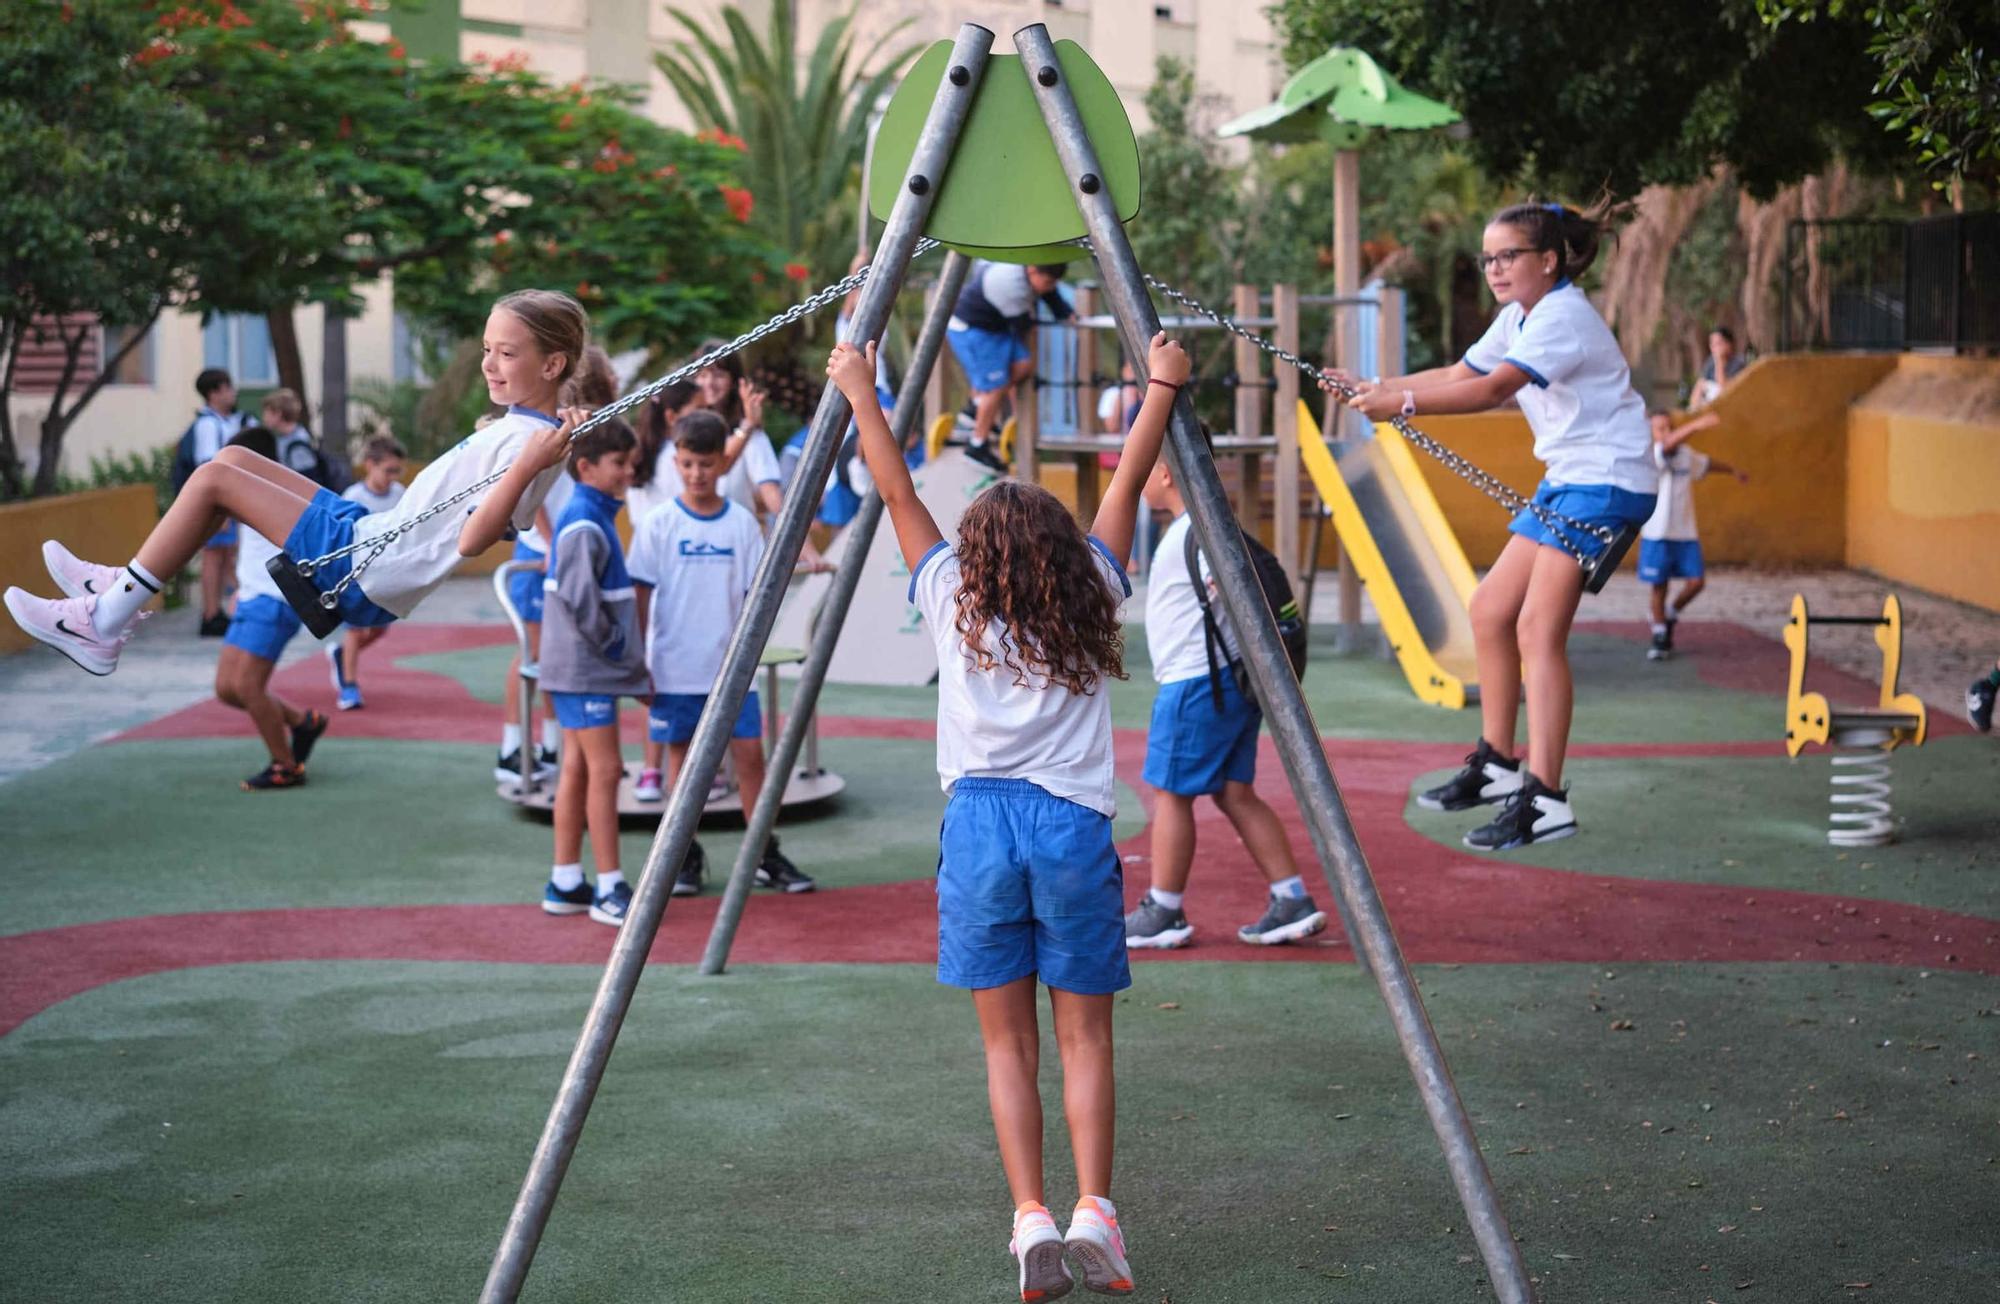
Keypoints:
pixel 739 667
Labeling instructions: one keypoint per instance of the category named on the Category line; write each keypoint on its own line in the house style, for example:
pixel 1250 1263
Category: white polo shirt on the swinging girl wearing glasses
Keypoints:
pixel 1589 421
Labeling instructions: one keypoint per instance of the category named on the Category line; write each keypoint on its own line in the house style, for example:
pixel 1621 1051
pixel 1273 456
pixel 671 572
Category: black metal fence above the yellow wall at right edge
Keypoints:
pixel 1857 283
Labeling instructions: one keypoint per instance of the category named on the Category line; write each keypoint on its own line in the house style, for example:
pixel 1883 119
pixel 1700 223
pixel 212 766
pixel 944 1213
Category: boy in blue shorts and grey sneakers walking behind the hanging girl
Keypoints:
pixel 1203 743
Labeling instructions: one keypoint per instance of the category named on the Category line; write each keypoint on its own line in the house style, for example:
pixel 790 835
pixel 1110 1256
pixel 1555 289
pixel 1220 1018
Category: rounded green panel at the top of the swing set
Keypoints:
pixel 1005 187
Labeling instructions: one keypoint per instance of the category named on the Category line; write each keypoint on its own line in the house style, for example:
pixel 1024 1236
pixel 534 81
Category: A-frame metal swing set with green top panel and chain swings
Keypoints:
pixel 1021 159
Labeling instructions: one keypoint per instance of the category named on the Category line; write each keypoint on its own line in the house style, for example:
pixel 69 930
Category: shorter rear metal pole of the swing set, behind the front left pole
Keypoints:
pixel 831 621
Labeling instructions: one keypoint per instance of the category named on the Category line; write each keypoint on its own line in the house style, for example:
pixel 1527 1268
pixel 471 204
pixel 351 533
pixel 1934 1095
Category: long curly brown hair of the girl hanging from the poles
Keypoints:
pixel 1025 563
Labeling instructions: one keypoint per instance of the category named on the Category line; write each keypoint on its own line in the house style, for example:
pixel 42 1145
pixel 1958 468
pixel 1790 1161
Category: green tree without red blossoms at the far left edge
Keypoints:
pixel 111 209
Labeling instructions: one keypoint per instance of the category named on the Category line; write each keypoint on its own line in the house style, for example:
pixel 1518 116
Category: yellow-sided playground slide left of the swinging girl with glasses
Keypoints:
pixel 1405 553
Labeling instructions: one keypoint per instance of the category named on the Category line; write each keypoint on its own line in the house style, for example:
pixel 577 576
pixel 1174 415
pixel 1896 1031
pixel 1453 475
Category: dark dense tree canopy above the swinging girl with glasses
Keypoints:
pixel 1599 99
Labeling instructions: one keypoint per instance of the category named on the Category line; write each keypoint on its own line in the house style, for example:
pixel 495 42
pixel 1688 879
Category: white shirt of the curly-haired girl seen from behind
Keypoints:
pixel 991 727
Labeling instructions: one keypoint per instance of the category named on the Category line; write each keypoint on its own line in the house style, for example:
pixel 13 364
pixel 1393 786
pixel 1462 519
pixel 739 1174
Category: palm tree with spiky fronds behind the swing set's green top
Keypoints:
pixel 803 123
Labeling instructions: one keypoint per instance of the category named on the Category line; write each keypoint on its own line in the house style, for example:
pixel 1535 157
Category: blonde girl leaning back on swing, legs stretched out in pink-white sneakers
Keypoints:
pixel 531 347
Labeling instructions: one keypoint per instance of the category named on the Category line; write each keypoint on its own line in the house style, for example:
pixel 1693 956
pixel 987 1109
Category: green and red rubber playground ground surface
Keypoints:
pixel 299 1047
